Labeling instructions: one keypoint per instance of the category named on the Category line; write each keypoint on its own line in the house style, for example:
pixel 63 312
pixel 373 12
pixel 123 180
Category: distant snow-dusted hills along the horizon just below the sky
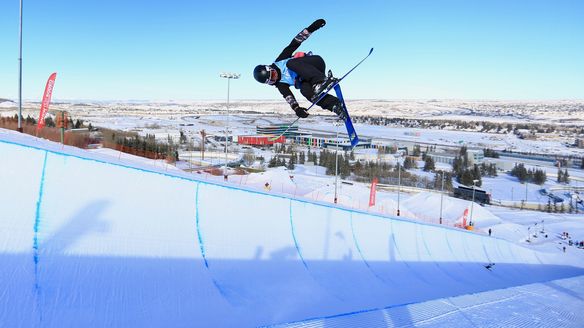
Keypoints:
pixel 560 112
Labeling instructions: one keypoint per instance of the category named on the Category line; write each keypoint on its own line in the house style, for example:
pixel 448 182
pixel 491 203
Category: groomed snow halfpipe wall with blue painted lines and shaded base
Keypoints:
pixel 87 240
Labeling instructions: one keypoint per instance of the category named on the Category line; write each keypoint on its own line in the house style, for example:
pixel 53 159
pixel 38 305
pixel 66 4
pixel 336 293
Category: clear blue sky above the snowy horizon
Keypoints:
pixel 162 50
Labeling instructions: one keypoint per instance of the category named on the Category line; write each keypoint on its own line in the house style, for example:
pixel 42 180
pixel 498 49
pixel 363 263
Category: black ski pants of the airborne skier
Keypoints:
pixel 311 71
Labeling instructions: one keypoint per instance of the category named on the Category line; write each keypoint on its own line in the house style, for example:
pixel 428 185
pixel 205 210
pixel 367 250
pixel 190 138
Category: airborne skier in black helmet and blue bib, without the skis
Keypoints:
pixel 305 71
